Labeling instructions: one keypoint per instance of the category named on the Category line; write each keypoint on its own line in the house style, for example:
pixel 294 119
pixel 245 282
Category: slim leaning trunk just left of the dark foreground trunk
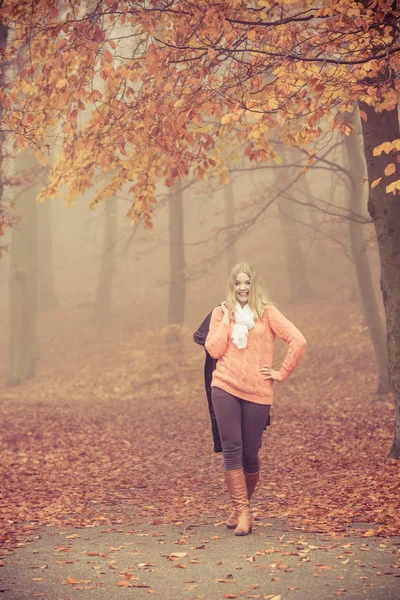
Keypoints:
pixel 367 296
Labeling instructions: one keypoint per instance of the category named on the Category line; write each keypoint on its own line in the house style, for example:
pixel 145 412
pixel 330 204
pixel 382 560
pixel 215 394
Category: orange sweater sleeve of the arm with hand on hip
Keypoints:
pixel 292 336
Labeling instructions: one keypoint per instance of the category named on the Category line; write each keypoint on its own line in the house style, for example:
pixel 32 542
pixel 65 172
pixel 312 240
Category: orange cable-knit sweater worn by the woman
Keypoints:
pixel 238 370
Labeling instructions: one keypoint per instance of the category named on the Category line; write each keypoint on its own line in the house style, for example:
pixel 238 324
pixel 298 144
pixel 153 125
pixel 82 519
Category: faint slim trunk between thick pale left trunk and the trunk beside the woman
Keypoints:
pixel 102 304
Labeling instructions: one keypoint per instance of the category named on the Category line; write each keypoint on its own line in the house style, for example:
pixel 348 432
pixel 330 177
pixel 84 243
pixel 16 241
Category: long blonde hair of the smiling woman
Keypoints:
pixel 258 300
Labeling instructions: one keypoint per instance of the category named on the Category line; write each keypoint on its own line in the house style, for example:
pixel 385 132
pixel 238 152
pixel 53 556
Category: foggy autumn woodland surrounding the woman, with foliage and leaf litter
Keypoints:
pixel 146 147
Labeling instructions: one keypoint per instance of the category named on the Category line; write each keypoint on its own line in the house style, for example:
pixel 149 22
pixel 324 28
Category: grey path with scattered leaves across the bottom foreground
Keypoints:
pixel 200 561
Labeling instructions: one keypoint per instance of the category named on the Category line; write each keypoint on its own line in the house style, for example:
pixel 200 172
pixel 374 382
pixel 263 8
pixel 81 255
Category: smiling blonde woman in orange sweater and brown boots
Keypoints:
pixel 241 337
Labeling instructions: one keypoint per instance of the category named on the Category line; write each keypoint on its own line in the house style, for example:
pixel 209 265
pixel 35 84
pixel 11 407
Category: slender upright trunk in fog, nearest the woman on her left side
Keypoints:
pixel 176 301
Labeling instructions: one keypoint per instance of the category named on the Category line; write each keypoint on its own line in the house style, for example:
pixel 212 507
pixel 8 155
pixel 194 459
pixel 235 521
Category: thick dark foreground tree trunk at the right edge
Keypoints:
pixel 384 209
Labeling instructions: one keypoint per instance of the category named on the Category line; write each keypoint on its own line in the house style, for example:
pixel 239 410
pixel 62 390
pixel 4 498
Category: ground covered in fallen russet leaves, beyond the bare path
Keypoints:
pixel 117 431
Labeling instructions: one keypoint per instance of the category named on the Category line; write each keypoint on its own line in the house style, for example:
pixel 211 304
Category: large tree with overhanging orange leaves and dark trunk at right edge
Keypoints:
pixel 201 75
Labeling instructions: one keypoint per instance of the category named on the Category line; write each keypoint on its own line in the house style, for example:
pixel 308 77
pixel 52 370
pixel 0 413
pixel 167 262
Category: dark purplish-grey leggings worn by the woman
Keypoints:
pixel 241 424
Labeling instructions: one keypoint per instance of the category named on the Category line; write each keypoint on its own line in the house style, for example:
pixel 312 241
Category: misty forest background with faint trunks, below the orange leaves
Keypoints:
pixel 77 269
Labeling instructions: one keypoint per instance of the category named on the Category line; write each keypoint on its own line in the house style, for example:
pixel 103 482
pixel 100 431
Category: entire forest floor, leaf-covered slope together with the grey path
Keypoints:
pixel 110 484
